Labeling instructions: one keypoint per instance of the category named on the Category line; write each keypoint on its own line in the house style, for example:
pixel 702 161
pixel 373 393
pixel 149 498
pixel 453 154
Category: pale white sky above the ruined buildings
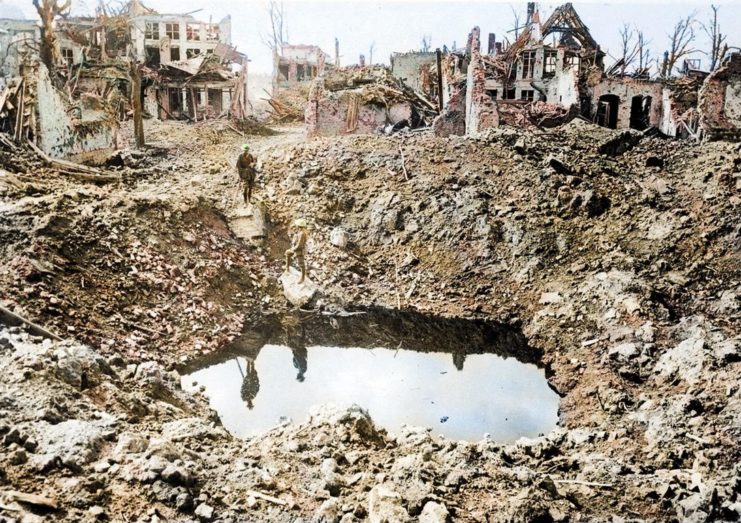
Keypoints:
pixel 391 25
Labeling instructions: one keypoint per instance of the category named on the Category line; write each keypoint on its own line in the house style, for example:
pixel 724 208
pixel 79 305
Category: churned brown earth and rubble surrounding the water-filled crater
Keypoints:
pixel 615 253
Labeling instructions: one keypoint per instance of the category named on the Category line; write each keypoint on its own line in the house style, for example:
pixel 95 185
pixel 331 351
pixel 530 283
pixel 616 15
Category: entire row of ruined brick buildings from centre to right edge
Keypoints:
pixel 554 71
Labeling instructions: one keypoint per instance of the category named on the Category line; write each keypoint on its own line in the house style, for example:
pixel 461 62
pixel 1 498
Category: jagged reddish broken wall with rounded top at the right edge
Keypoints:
pixel 720 102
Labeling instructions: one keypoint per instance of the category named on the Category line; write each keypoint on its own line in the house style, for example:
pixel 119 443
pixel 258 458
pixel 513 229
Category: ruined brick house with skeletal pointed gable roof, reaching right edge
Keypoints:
pixel 555 71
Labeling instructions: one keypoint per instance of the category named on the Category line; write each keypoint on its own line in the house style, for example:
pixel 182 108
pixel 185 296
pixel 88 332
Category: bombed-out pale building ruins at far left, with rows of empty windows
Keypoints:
pixel 186 69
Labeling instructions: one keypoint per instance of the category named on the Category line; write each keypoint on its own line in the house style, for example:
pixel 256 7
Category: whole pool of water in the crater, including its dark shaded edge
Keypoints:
pixel 460 378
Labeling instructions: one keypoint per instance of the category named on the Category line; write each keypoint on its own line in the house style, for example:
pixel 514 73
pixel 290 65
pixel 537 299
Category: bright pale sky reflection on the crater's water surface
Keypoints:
pixel 495 395
